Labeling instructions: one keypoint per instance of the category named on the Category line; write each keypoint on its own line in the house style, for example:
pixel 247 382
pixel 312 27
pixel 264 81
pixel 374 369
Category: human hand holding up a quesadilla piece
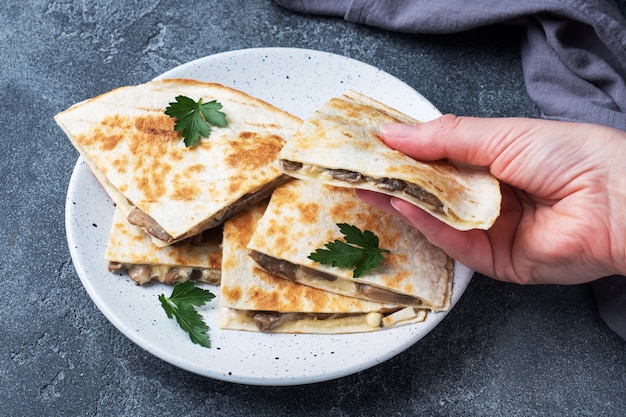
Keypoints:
pixel 563 216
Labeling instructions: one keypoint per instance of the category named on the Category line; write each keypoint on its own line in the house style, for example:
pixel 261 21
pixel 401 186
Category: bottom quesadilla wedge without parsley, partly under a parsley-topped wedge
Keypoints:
pixel 254 300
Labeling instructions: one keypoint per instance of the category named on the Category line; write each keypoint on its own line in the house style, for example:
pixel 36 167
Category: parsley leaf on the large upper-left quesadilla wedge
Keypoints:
pixel 195 119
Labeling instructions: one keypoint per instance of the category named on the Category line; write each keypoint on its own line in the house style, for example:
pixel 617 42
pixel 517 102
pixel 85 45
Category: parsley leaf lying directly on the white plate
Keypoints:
pixel 180 305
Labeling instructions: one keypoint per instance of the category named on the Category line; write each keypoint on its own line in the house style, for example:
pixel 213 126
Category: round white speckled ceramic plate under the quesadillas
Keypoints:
pixel 299 81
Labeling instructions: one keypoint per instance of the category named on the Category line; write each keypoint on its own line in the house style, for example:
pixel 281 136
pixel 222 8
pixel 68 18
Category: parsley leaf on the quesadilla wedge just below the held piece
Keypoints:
pixel 360 251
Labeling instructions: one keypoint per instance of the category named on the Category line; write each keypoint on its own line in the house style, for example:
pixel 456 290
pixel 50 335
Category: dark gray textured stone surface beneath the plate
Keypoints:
pixel 504 350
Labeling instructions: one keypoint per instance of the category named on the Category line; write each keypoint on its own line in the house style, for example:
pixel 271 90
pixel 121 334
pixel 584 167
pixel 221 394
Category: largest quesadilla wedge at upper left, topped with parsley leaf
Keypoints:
pixel 170 190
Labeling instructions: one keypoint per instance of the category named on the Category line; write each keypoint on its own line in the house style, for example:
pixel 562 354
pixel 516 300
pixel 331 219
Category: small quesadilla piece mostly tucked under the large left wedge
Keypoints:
pixel 130 249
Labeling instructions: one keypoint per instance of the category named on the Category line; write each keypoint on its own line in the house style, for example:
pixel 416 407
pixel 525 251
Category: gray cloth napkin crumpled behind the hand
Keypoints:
pixel 573 57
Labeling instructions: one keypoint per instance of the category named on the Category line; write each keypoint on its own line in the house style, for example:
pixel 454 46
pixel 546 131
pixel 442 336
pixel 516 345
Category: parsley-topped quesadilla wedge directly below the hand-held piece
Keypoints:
pixel 303 215
